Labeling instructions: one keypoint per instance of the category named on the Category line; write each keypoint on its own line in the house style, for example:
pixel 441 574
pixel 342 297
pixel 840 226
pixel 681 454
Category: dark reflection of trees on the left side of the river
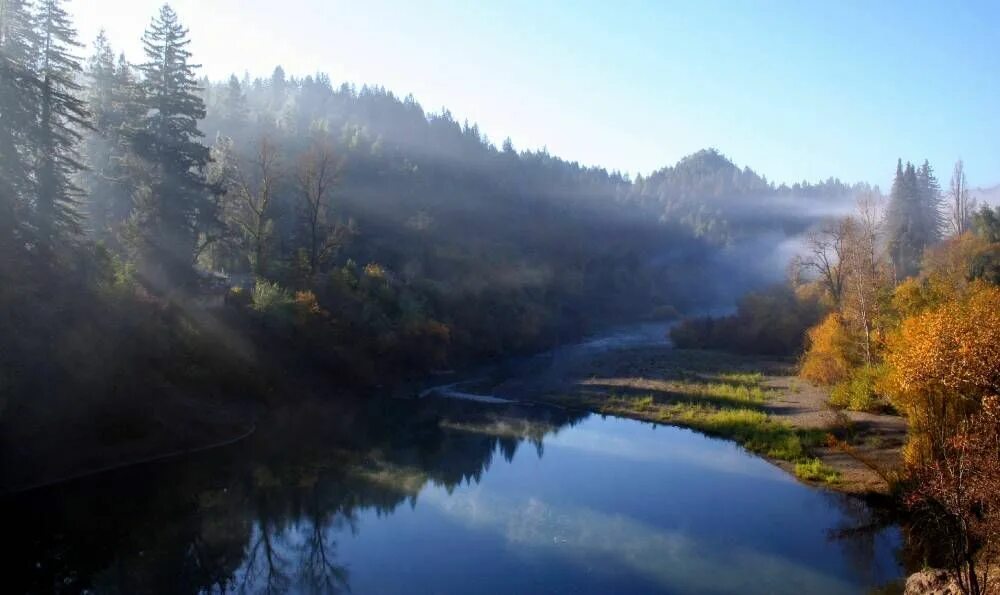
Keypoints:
pixel 262 516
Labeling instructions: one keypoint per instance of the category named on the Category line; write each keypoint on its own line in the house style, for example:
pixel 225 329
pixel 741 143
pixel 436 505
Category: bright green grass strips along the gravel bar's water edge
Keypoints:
pixel 727 405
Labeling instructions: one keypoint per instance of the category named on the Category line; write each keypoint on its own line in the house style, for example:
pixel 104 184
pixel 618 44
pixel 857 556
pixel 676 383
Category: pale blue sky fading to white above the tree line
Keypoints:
pixel 795 90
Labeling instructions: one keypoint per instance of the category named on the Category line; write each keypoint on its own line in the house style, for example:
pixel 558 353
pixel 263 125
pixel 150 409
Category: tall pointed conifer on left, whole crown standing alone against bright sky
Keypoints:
pixel 176 204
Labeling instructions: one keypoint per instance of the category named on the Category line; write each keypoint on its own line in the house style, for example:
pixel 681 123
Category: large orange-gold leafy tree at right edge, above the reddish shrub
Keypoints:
pixel 941 363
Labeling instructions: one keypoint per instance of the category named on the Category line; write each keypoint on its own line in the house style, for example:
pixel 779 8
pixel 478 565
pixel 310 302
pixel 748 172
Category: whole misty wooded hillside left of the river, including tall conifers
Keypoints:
pixel 349 229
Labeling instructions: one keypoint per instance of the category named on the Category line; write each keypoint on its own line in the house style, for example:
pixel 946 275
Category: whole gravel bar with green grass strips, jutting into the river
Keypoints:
pixel 757 402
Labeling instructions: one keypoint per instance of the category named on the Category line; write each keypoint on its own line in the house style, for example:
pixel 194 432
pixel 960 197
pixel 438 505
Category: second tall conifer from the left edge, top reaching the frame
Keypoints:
pixel 61 116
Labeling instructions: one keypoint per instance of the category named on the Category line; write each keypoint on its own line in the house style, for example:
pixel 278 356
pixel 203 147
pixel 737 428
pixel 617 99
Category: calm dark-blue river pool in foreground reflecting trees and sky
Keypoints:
pixel 446 496
